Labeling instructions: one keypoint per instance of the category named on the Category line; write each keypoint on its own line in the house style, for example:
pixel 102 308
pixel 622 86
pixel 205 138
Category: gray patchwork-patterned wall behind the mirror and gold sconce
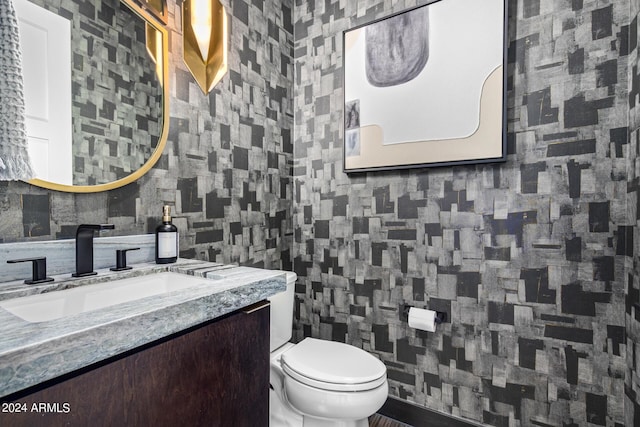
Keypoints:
pixel 225 169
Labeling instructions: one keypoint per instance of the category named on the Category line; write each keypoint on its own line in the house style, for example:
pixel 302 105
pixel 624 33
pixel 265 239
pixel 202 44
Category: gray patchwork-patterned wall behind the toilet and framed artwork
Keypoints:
pixel 529 258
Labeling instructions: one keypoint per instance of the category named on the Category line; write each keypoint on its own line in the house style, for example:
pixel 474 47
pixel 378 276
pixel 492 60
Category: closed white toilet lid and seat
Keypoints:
pixel 332 365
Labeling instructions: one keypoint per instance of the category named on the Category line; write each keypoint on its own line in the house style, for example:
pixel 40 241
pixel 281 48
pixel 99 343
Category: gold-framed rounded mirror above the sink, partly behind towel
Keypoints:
pixel 96 89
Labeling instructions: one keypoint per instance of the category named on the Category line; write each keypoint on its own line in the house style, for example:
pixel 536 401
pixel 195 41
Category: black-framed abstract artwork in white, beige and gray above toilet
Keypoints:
pixel 426 87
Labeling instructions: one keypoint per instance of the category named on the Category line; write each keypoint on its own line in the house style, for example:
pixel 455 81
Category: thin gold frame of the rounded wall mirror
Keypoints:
pixel 157 53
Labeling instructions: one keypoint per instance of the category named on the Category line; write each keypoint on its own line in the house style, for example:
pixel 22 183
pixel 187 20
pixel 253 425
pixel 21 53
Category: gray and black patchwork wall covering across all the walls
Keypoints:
pixel 533 259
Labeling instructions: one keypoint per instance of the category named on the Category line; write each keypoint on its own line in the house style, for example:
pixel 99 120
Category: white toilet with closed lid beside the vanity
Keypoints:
pixel 319 383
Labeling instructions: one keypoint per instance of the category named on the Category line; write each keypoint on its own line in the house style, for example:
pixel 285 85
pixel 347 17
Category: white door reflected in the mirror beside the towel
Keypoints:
pixel 46 64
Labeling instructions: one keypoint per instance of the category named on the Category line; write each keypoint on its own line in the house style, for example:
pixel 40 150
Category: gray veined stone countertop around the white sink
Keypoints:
pixel 31 353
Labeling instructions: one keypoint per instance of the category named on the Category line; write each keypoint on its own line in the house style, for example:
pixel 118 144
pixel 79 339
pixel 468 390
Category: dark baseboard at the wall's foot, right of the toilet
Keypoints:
pixel 418 416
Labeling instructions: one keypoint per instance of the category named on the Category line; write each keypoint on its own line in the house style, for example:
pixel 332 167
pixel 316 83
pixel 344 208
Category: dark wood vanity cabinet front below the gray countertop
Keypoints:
pixel 216 374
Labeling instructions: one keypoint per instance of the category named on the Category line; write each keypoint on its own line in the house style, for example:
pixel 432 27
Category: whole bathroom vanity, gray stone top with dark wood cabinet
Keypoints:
pixel 198 355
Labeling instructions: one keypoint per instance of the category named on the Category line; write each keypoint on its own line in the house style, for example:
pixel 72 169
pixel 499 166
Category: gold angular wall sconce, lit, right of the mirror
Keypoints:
pixel 204 26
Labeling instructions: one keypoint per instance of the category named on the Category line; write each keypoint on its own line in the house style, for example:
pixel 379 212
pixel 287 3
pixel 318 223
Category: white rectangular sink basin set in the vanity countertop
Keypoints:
pixel 58 304
